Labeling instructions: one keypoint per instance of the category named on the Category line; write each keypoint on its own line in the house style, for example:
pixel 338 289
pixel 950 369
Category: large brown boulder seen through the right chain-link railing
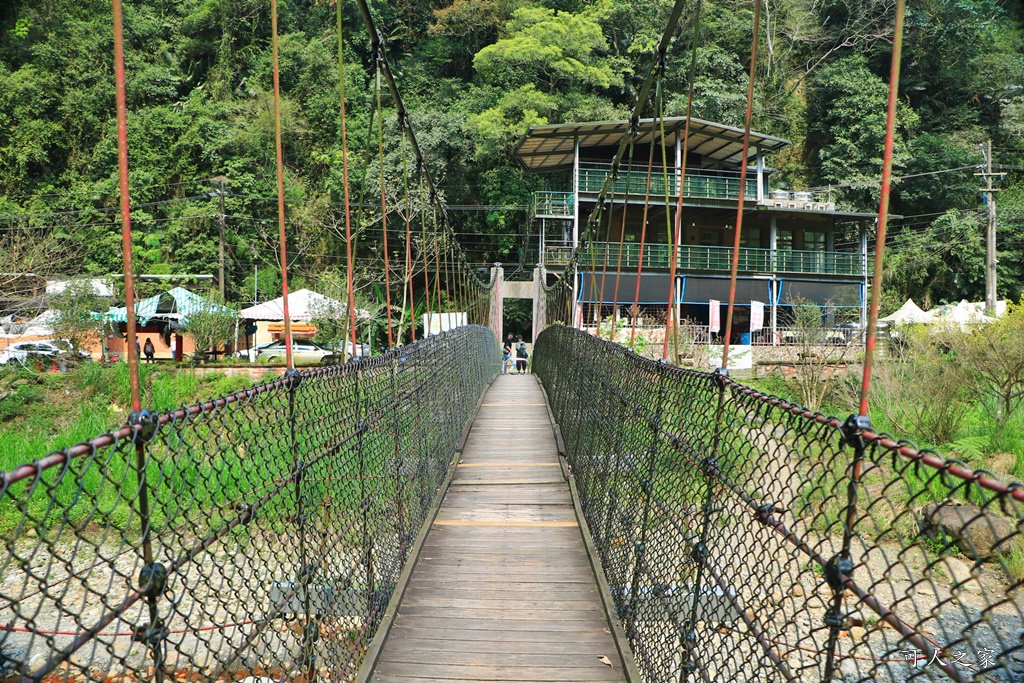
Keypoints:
pixel 974 531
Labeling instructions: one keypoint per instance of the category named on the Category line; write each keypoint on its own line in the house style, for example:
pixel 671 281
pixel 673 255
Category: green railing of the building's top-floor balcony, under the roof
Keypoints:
pixel 700 185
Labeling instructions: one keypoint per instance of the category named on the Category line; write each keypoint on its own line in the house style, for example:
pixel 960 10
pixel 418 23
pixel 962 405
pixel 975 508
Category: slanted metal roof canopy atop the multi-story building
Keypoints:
pixel 551 148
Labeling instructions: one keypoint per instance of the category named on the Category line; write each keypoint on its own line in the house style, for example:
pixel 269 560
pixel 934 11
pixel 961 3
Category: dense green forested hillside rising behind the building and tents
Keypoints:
pixel 476 74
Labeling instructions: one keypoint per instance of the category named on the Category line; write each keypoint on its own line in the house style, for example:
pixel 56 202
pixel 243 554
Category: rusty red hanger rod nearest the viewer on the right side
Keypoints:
pixel 880 243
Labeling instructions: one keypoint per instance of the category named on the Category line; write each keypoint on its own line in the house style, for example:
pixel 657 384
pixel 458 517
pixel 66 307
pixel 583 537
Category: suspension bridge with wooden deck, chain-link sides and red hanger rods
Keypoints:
pixel 419 517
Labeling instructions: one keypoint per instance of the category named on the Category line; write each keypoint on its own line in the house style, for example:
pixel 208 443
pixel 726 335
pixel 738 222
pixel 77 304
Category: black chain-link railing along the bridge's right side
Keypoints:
pixel 747 539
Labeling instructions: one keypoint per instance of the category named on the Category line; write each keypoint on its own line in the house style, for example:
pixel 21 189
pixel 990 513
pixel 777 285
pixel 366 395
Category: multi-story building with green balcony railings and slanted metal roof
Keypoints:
pixel 795 246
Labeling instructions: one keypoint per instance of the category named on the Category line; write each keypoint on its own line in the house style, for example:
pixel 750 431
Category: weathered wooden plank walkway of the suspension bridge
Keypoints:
pixel 503 589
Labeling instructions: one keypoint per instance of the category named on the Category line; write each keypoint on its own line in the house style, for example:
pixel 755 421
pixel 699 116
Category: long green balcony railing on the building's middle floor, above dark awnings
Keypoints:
pixel 717 260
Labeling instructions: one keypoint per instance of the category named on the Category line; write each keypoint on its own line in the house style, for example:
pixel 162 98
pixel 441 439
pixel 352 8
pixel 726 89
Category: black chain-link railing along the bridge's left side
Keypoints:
pixel 260 534
